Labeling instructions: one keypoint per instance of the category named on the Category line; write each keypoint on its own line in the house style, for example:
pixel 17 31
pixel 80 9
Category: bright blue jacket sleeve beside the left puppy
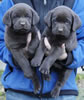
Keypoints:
pixel 5 55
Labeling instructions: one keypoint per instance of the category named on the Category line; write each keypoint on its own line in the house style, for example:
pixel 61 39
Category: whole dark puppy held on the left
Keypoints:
pixel 21 38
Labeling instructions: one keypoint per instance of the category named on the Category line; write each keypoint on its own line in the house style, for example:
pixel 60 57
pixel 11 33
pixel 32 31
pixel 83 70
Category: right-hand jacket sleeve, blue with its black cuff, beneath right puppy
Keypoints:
pixel 75 58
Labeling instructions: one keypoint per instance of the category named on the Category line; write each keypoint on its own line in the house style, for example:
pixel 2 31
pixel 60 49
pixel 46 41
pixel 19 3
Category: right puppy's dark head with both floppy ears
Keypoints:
pixel 62 21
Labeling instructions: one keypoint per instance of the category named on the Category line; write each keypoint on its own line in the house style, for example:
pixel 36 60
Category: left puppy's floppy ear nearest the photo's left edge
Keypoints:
pixel 7 18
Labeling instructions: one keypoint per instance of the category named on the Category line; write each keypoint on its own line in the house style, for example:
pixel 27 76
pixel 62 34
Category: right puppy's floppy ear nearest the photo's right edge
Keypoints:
pixel 76 22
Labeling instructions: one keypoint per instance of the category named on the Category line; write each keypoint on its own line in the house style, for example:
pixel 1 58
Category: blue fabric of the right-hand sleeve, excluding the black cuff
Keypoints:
pixel 78 53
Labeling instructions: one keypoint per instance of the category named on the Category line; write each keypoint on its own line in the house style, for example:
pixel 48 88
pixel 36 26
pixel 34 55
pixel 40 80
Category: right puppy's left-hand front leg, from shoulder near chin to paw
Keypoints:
pixel 36 61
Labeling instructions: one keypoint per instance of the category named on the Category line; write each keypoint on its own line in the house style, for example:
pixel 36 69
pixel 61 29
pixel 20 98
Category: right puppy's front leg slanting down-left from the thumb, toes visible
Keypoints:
pixel 50 60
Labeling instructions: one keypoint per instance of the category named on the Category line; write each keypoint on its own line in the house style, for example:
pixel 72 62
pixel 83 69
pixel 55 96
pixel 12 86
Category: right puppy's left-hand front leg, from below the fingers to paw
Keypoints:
pixel 36 61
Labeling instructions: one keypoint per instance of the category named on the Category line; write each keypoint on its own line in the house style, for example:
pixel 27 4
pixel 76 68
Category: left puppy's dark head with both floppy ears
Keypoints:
pixel 20 17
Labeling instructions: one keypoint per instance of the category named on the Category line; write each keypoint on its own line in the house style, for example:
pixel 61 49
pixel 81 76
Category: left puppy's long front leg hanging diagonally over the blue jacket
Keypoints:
pixel 22 62
